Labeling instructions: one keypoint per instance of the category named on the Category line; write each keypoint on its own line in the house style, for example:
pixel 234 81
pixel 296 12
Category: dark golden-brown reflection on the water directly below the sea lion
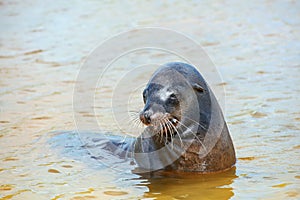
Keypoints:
pixel 190 185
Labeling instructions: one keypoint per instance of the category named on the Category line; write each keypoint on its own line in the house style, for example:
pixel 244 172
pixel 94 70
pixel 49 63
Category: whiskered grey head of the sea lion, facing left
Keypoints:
pixel 171 98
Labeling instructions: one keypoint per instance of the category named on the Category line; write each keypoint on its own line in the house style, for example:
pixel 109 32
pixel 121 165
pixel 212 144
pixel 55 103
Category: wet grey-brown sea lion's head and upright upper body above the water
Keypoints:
pixel 186 130
